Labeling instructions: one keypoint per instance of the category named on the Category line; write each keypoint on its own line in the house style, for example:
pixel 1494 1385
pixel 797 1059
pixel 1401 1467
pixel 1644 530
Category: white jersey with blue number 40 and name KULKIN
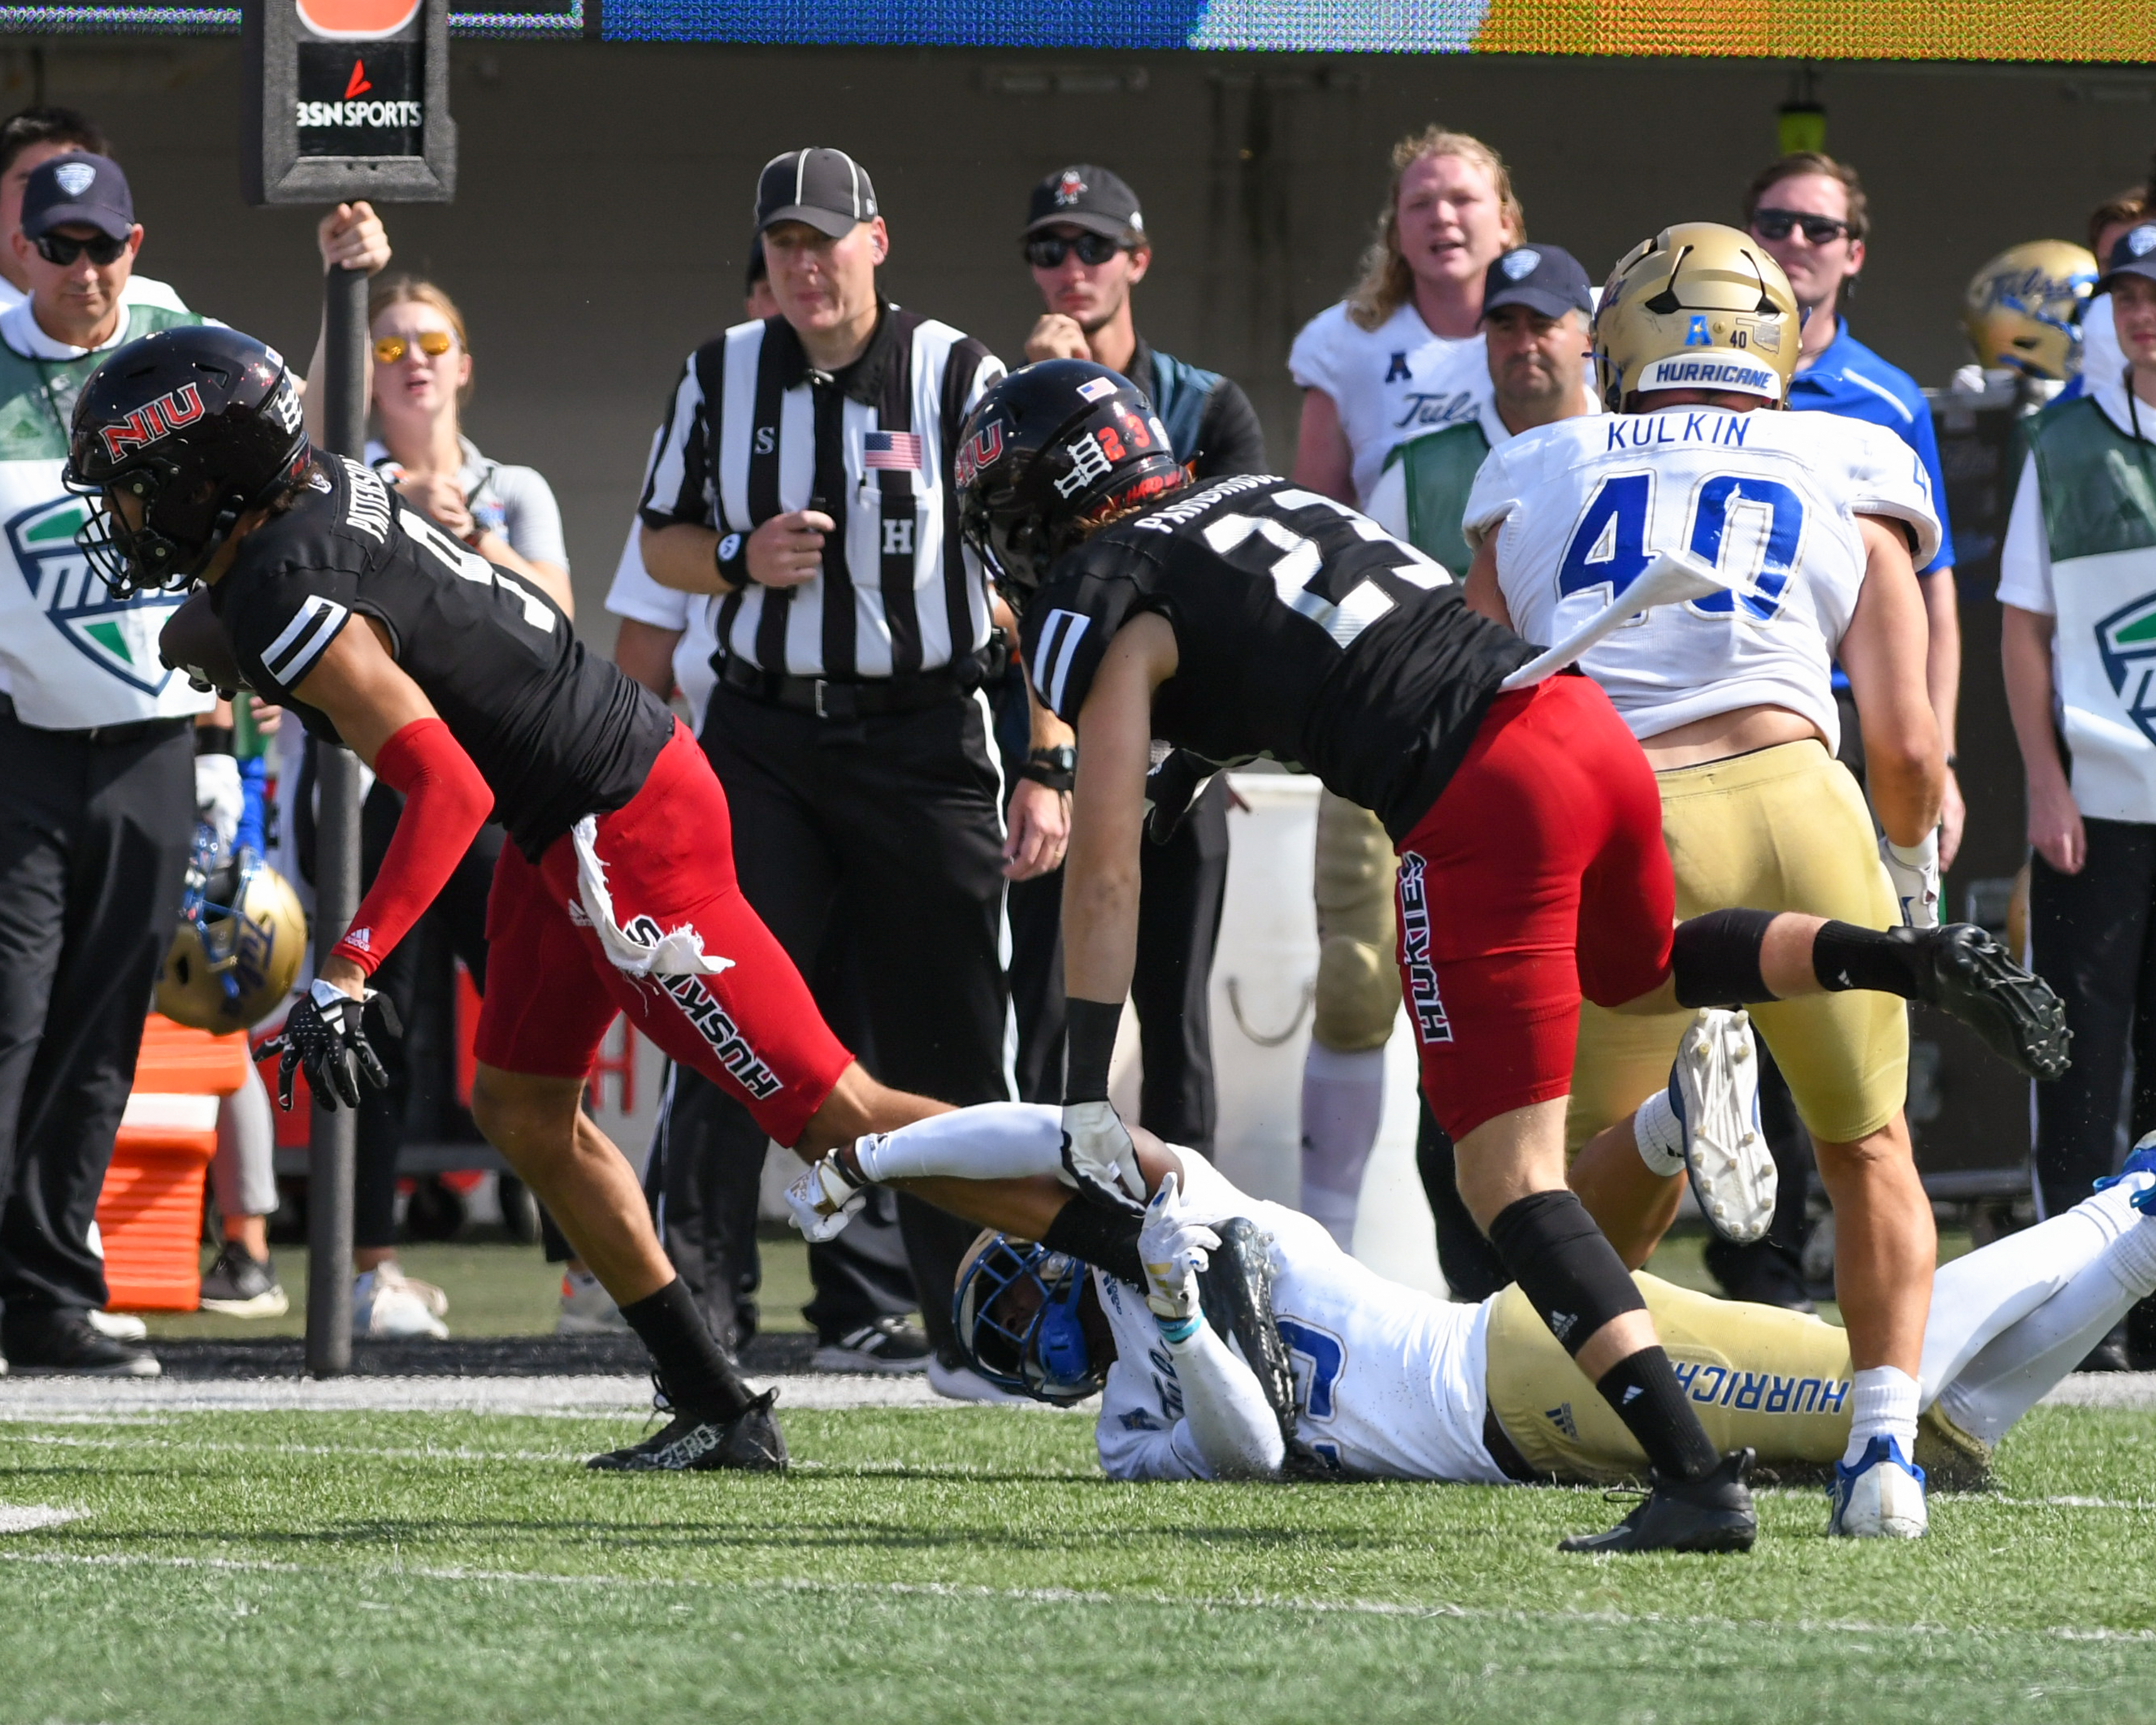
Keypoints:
pixel 1769 497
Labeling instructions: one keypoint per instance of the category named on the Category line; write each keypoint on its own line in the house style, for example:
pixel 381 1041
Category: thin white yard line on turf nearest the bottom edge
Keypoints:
pixel 930 1590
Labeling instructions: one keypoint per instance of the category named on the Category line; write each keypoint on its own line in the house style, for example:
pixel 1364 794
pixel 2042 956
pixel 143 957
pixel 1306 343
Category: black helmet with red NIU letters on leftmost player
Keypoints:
pixel 197 426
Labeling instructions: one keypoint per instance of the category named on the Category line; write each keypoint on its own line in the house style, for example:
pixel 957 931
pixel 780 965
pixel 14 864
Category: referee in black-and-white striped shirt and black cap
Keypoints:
pixel 803 475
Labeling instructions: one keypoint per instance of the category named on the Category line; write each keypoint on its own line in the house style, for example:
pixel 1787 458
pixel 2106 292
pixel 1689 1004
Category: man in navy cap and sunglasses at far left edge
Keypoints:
pixel 98 801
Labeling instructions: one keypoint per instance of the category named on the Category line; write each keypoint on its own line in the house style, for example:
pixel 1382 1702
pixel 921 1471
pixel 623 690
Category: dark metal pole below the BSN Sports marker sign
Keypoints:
pixel 333 1140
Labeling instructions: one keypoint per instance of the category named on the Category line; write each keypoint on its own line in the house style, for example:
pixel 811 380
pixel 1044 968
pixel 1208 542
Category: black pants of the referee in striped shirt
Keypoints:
pixel 883 842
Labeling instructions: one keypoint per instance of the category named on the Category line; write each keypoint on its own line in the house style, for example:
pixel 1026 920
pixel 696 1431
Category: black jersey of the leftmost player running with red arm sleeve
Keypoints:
pixel 555 732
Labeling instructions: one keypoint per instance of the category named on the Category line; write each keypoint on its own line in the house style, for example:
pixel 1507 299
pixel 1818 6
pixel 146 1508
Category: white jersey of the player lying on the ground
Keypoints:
pixel 1390 1383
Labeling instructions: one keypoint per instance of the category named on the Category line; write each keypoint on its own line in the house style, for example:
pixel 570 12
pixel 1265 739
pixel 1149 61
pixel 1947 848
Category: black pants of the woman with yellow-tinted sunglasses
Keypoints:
pixel 456 926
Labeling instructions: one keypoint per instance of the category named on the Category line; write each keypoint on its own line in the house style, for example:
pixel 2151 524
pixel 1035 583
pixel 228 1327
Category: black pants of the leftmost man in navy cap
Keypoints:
pixel 94 857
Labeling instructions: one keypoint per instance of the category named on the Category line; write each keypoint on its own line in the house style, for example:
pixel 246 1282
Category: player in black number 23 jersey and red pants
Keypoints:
pixel 1262 620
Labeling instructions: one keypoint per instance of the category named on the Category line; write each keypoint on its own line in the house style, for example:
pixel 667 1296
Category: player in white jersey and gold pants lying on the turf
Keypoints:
pixel 1400 1385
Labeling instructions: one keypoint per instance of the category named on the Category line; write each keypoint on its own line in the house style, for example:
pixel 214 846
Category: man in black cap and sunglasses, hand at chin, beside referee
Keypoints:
pixel 1088 247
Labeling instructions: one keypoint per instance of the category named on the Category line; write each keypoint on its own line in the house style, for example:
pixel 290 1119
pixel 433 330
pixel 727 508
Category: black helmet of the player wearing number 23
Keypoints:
pixel 1051 452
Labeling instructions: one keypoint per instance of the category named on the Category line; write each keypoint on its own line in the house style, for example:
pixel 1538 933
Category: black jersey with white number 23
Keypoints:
pixel 1303 633
